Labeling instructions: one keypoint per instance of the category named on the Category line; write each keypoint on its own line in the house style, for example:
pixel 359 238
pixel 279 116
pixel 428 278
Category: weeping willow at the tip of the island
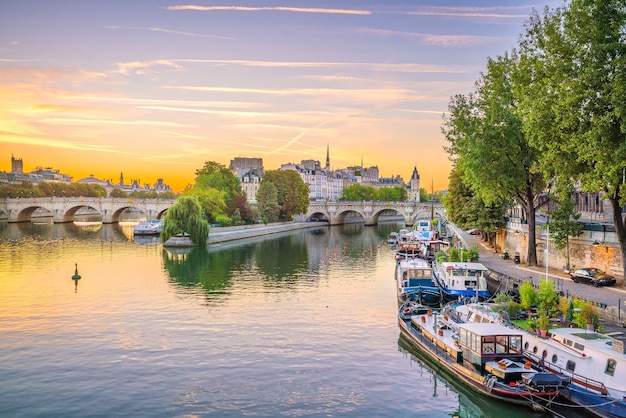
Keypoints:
pixel 185 216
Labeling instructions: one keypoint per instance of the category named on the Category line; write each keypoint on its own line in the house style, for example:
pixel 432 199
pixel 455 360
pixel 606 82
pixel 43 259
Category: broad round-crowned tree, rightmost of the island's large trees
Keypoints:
pixel 292 193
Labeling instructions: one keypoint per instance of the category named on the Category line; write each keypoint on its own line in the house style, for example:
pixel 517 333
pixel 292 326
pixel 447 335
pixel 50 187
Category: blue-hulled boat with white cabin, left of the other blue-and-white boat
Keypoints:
pixel 416 282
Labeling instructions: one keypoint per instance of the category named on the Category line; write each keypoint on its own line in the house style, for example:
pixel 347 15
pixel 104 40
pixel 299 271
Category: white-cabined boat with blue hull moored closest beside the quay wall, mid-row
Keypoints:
pixel 462 281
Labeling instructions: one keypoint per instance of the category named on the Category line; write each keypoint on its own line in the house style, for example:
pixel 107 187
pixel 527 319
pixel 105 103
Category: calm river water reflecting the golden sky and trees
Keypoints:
pixel 301 324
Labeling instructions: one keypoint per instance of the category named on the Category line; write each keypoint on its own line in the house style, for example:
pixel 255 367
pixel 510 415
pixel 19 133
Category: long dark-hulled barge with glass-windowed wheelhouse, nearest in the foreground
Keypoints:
pixel 486 358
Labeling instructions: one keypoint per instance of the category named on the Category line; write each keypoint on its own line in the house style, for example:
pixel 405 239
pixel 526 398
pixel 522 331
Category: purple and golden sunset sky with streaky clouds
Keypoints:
pixel 154 88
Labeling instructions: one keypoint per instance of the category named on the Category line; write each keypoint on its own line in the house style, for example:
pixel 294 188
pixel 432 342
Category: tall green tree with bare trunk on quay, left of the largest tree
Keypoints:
pixel 488 142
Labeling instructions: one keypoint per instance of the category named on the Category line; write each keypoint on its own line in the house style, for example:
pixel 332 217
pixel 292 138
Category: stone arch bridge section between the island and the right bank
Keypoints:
pixel 335 213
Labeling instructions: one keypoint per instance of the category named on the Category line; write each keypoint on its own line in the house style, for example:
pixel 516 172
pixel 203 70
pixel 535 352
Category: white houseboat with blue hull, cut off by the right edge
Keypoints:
pixel 595 363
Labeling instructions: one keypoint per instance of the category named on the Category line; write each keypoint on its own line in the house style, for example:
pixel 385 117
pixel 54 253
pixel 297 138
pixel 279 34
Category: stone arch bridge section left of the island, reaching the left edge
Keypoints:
pixel 63 209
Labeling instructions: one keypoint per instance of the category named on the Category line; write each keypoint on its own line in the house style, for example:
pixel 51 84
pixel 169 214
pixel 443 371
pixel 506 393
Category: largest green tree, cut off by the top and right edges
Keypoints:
pixel 574 107
